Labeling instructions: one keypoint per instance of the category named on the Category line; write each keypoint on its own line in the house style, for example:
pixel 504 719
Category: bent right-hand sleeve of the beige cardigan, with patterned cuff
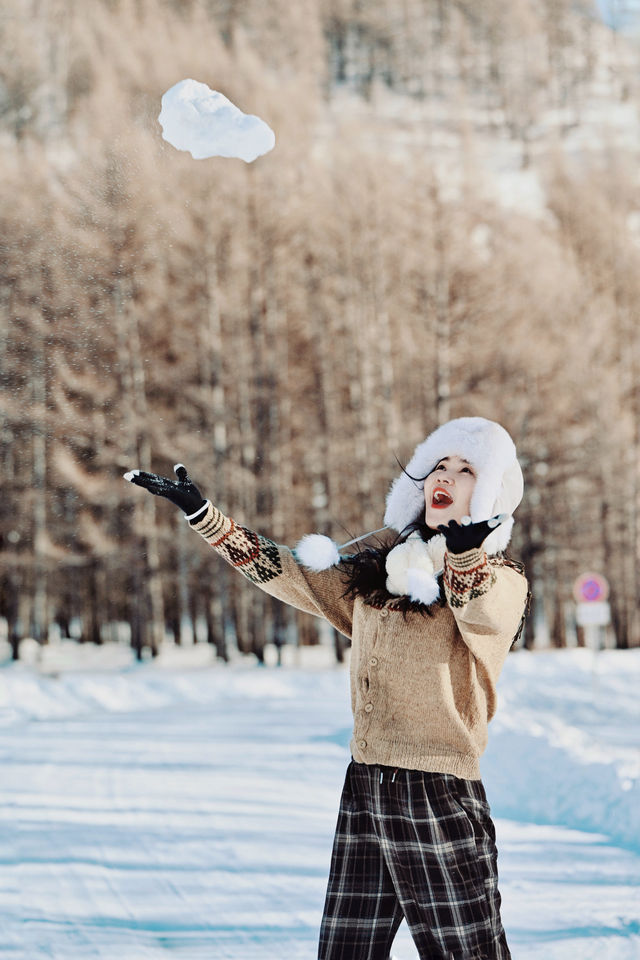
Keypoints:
pixel 487 601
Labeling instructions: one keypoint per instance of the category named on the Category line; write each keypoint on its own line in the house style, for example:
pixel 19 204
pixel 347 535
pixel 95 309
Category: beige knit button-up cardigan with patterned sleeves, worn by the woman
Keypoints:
pixel 423 689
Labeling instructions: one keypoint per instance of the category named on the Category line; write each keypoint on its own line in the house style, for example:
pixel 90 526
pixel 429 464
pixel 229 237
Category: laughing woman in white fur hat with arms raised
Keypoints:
pixel 431 618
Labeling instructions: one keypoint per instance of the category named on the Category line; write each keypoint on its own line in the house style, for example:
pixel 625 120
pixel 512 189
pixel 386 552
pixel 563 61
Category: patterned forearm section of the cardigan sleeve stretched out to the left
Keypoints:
pixel 257 557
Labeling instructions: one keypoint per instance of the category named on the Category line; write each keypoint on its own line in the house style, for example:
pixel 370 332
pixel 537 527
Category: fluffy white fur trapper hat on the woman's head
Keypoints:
pixel 490 451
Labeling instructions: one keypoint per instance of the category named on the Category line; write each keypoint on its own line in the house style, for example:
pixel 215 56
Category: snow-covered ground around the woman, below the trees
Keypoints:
pixel 184 809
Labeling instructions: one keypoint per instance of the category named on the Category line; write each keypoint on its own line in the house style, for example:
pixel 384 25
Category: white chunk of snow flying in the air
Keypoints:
pixel 206 124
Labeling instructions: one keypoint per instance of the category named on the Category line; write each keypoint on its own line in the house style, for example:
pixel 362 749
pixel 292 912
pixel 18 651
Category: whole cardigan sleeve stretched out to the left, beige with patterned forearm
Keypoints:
pixel 275 570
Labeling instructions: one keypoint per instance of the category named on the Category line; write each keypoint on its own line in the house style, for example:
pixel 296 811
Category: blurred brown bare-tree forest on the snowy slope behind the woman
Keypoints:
pixel 448 225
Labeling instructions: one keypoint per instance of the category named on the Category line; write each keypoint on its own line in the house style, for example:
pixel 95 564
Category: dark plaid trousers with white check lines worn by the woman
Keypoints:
pixel 414 845
